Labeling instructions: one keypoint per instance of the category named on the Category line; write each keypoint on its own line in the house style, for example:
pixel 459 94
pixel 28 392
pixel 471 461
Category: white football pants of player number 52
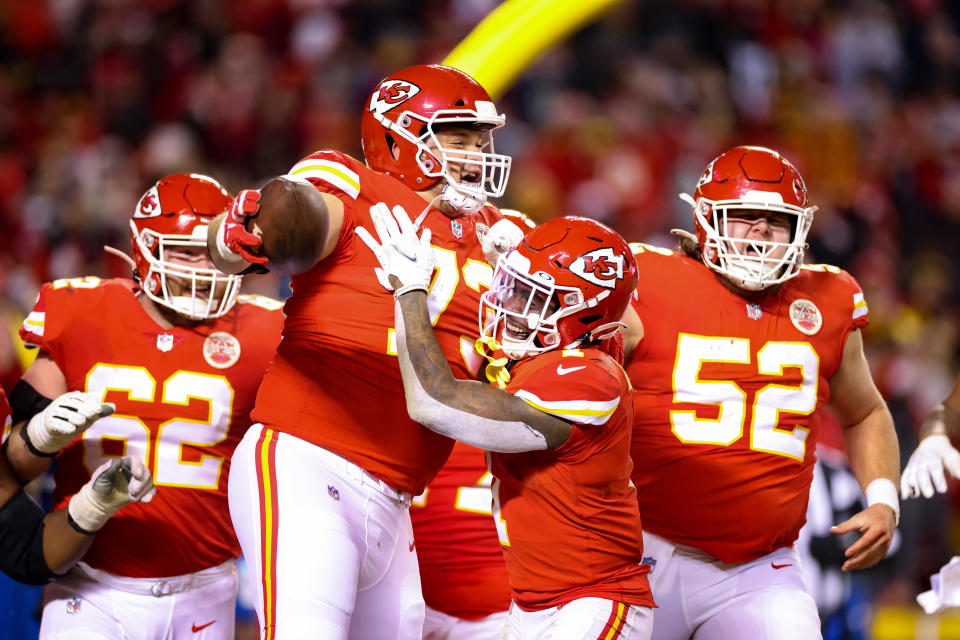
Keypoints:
pixel 701 598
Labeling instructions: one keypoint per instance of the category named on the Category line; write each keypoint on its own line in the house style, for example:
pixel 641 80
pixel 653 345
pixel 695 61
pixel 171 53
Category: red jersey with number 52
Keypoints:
pixel 728 401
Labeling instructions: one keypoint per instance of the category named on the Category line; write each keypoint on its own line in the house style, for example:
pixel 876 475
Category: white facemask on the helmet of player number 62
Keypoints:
pixel 208 293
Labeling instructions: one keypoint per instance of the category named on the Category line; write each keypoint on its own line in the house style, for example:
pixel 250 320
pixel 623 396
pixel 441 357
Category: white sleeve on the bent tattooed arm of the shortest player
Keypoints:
pixel 484 433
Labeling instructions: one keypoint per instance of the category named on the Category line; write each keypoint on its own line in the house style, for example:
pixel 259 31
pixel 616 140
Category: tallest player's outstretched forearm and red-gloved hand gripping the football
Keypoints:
pixel 286 226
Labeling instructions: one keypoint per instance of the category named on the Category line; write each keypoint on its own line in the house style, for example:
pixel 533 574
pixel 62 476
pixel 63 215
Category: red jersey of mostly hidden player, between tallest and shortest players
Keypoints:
pixel 461 565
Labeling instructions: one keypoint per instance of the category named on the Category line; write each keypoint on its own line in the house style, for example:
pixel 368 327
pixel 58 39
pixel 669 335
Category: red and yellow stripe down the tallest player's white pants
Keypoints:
pixel 269 521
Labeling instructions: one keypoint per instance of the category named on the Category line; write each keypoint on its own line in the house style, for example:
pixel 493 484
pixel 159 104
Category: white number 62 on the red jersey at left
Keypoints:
pixel 164 454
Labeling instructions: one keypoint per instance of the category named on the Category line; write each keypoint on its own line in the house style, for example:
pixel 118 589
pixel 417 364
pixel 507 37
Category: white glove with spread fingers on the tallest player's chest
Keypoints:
pixel 400 252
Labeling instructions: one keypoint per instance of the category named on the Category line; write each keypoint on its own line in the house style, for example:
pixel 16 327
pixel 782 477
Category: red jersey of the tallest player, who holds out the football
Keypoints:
pixel 335 381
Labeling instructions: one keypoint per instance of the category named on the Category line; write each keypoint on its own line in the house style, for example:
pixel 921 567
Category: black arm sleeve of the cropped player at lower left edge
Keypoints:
pixel 21 541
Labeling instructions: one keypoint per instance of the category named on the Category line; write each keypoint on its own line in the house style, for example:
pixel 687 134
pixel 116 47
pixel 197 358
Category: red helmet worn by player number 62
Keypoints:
pixel 174 213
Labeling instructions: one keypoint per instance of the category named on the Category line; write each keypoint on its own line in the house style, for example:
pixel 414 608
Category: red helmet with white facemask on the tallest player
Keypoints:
pixel 403 111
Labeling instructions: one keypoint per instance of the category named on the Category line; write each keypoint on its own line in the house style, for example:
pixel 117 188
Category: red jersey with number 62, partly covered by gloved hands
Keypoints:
pixel 183 398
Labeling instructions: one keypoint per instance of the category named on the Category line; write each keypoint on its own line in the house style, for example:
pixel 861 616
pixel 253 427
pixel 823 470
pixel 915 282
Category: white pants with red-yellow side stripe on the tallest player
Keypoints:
pixel 329 548
